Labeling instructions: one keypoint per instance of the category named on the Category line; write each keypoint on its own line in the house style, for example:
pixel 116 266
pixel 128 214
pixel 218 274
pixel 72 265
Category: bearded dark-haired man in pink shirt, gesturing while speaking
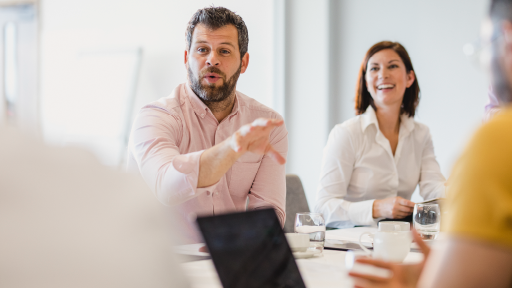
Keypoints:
pixel 207 147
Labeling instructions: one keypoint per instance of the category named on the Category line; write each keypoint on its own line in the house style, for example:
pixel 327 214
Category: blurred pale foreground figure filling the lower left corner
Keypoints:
pixel 68 221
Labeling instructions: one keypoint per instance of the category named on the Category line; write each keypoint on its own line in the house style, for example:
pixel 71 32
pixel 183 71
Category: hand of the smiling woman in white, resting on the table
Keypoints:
pixel 395 208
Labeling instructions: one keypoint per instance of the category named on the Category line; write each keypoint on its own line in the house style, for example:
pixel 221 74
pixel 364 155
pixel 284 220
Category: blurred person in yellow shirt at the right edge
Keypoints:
pixel 477 251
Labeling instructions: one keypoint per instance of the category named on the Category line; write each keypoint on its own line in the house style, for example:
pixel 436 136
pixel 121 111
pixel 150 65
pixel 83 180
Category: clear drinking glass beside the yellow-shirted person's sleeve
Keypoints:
pixel 427 220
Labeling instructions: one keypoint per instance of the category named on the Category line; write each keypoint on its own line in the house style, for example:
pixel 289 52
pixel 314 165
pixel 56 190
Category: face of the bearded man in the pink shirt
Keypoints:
pixel 213 62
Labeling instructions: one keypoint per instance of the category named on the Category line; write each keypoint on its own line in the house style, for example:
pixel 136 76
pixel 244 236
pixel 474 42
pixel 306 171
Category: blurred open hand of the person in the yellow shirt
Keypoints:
pixel 403 275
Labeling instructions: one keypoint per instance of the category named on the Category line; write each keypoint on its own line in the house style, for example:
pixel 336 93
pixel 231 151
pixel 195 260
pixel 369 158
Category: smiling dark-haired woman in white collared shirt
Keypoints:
pixel 373 162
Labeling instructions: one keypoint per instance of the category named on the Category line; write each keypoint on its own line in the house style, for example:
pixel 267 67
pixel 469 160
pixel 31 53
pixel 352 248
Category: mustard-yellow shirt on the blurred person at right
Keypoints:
pixel 480 195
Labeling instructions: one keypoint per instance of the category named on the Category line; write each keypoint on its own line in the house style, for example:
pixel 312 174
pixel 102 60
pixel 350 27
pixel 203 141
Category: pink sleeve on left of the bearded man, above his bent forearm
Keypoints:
pixel 154 142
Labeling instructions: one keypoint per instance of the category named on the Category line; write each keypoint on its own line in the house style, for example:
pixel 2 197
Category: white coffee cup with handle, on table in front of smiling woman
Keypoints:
pixel 390 246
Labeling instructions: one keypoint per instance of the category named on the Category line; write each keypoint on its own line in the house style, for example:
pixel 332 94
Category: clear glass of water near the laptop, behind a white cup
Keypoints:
pixel 314 225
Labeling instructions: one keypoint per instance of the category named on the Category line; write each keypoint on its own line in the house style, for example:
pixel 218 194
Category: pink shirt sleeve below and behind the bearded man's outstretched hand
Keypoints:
pixel 269 187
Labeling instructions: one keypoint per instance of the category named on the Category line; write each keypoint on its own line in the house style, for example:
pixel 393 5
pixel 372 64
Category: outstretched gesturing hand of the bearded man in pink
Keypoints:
pixel 254 138
